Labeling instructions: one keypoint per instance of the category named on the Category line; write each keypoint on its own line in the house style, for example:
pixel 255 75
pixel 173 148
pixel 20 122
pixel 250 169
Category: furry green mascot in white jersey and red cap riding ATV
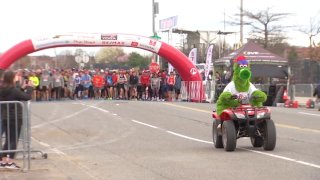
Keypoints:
pixel 240 86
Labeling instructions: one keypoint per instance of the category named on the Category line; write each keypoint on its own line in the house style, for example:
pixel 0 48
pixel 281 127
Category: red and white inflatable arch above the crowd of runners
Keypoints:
pixel 177 59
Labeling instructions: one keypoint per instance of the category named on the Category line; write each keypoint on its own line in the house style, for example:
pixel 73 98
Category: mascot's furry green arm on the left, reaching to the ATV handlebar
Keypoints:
pixel 225 101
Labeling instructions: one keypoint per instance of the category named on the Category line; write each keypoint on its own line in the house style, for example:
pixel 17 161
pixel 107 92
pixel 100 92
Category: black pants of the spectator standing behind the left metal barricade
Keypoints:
pixel 11 129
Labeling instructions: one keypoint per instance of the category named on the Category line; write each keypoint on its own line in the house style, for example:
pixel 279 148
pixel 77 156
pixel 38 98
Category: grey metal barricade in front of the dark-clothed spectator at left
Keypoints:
pixel 15 130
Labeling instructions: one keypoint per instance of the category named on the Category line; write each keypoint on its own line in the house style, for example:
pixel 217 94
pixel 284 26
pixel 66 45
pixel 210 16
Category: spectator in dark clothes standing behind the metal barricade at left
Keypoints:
pixel 11 125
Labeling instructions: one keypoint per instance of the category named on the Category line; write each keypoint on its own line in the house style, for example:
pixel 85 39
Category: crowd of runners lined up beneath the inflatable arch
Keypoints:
pixel 59 84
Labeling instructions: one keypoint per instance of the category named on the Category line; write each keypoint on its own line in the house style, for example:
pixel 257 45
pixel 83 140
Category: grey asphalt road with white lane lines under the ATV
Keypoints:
pixel 158 140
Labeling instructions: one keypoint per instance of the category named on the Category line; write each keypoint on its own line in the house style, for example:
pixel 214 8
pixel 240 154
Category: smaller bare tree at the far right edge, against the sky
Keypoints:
pixel 312 30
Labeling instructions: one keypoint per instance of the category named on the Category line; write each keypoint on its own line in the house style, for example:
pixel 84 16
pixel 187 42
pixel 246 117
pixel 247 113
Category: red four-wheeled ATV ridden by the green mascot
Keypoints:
pixel 244 121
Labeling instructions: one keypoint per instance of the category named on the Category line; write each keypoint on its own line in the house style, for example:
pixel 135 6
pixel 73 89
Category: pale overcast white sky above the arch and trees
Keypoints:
pixel 25 19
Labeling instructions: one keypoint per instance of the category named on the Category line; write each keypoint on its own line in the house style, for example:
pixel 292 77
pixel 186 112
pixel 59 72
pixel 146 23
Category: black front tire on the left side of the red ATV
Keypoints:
pixel 229 136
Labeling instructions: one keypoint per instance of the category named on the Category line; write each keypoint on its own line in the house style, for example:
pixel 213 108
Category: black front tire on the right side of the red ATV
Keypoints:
pixel 269 141
